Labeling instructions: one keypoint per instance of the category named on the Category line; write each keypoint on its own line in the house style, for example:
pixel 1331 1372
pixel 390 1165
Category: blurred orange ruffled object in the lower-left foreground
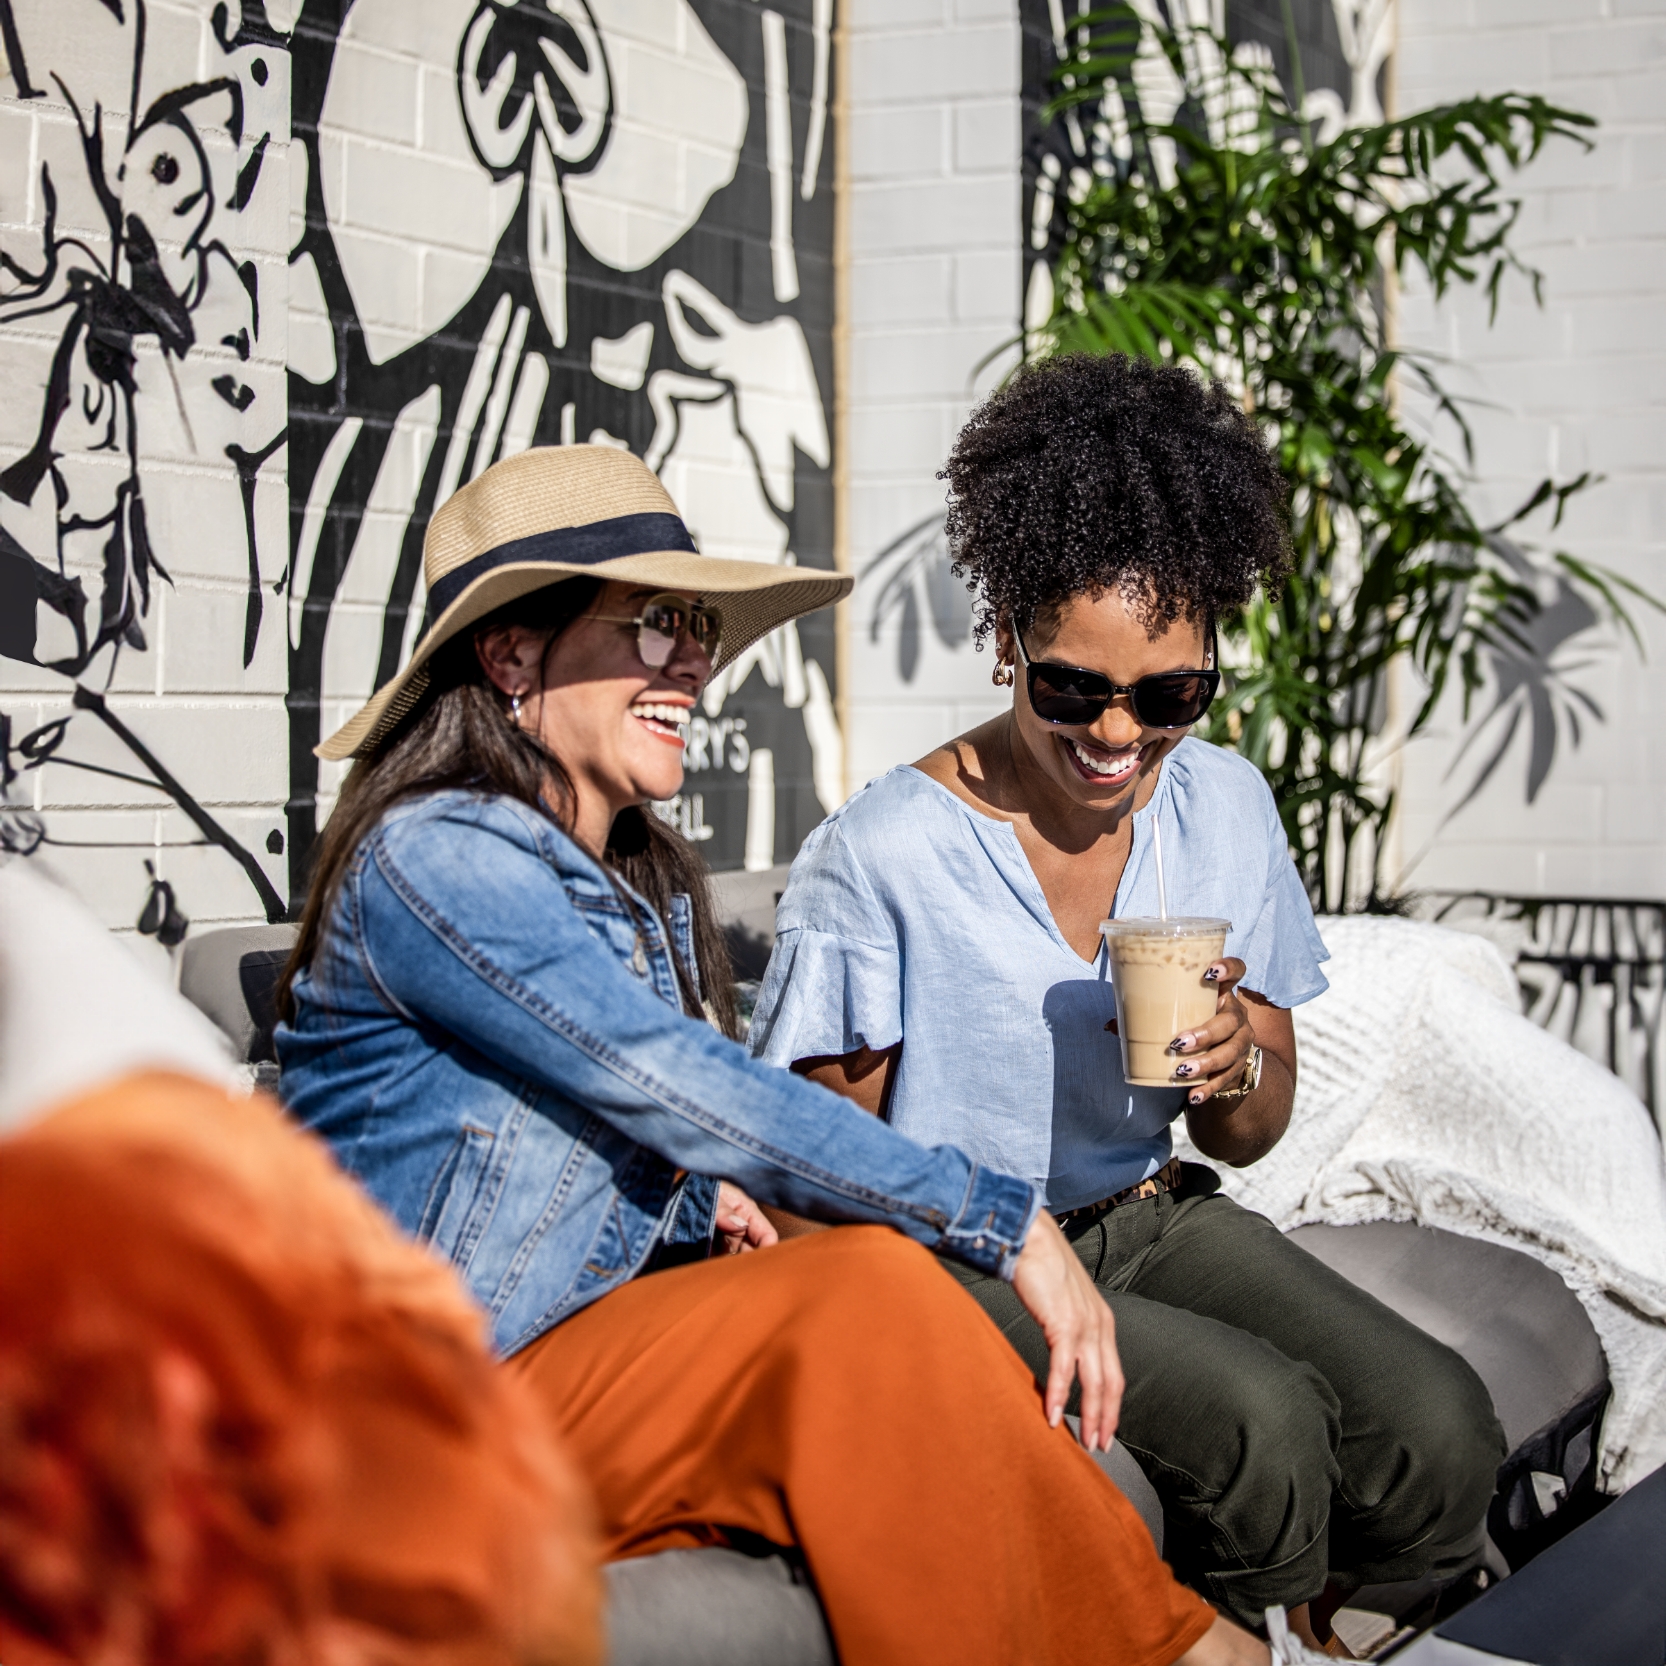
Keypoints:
pixel 241 1419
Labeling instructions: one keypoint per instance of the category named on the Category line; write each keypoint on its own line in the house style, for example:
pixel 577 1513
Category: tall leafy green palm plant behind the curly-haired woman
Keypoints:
pixel 1204 217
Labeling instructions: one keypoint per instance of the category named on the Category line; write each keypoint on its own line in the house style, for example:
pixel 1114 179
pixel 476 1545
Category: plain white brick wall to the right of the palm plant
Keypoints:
pixel 1580 384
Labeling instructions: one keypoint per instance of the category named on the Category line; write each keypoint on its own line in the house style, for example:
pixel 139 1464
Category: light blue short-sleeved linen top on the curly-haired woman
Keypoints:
pixel 912 917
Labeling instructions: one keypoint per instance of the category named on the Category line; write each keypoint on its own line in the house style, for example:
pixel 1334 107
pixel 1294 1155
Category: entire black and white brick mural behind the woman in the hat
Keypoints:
pixel 466 227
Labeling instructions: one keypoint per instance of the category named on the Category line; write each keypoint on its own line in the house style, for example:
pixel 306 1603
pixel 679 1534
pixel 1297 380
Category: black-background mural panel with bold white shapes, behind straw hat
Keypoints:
pixel 611 226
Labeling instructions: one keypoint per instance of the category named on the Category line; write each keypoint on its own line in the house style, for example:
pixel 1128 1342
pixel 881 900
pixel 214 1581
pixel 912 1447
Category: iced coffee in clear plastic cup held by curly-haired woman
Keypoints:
pixel 1157 969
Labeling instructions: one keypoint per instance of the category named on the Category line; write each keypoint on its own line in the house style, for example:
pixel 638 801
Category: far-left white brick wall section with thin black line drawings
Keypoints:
pixel 144 427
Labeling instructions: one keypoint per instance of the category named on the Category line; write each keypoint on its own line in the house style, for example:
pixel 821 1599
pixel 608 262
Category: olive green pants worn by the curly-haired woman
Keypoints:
pixel 1292 1425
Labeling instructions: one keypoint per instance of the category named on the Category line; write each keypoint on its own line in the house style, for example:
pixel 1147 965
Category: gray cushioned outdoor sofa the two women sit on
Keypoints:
pixel 1510 1317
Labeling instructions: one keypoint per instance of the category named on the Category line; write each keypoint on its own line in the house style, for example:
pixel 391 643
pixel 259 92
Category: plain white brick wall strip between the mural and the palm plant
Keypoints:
pixel 934 286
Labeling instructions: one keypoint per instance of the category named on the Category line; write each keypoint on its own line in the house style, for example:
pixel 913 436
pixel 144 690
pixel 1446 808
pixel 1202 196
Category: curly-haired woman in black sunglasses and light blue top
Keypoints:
pixel 939 960
